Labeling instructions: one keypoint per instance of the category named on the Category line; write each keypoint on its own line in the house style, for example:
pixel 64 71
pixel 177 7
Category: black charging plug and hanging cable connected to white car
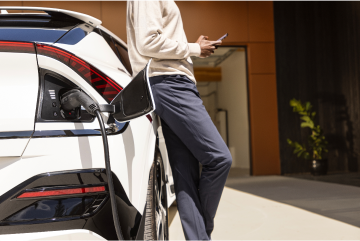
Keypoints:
pixel 75 98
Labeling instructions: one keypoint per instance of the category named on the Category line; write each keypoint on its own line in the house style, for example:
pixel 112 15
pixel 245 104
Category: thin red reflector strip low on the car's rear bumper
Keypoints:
pixel 60 192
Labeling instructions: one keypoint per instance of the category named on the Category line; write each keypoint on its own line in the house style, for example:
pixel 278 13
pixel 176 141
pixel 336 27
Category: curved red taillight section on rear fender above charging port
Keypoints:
pixel 103 84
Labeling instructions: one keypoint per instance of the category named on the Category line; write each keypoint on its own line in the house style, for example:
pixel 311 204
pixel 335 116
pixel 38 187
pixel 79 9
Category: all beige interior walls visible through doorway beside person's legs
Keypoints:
pixel 231 94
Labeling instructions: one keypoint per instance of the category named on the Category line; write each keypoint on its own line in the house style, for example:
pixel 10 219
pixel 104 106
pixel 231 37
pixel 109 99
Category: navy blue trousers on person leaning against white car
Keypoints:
pixel 191 137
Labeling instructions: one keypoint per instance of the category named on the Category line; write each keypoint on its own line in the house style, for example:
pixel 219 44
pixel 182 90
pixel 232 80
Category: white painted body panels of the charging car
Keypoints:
pixel 131 153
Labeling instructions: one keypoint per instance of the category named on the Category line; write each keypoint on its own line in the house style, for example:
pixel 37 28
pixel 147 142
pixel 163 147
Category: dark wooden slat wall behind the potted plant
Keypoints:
pixel 318 60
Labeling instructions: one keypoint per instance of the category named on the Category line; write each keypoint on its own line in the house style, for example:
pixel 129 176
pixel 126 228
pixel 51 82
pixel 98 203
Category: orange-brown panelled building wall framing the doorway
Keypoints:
pixel 248 22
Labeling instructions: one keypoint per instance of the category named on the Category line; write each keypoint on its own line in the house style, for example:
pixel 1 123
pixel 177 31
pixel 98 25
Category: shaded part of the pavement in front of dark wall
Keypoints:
pixel 340 202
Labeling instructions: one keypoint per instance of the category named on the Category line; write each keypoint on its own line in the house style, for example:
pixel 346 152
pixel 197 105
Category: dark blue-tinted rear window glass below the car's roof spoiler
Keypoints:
pixel 31 34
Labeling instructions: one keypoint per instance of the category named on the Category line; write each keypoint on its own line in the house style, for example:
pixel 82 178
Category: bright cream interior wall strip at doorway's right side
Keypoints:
pixel 233 96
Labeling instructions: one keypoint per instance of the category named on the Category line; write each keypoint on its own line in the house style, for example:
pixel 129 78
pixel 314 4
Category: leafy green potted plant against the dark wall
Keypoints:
pixel 317 144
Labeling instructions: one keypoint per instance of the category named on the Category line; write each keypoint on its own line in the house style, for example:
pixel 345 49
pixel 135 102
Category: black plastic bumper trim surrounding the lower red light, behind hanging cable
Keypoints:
pixel 98 220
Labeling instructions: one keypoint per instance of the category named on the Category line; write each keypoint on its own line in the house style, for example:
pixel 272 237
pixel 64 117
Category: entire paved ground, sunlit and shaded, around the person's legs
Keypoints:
pixel 283 209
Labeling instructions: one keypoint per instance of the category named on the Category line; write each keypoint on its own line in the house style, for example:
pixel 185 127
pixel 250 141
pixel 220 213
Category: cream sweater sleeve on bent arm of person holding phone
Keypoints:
pixel 147 22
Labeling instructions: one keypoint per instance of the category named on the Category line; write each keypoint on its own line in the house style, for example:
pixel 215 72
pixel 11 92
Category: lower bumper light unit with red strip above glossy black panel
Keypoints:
pixel 57 203
